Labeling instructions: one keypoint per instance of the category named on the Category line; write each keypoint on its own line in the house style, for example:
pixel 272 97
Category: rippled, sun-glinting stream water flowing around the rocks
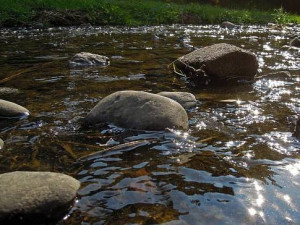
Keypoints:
pixel 237 164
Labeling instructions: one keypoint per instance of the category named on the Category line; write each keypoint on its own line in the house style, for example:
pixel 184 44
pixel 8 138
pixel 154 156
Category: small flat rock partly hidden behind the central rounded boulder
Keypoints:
pixel 187 100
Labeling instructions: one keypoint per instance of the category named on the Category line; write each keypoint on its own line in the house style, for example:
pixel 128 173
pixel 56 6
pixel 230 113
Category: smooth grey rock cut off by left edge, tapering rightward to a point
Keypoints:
pixel 10 109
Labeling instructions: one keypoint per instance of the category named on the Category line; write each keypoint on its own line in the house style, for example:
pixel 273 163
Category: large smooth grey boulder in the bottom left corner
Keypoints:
pixel 35 197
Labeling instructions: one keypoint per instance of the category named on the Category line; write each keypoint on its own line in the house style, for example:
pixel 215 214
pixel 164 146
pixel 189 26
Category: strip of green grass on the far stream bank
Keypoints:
pixel 130 13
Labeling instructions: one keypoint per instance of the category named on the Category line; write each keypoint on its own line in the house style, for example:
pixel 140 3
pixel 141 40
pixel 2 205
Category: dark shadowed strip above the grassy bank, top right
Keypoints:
pixel 292 6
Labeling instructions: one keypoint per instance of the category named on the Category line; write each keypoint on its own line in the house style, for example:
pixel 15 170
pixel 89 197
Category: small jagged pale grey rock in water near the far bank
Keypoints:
pixel 89 59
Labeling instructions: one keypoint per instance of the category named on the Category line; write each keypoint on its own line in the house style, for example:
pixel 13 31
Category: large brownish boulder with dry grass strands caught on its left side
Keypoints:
pixel 219 61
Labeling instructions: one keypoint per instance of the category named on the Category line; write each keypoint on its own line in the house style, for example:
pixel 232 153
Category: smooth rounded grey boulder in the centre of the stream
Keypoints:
pixel 138 110
